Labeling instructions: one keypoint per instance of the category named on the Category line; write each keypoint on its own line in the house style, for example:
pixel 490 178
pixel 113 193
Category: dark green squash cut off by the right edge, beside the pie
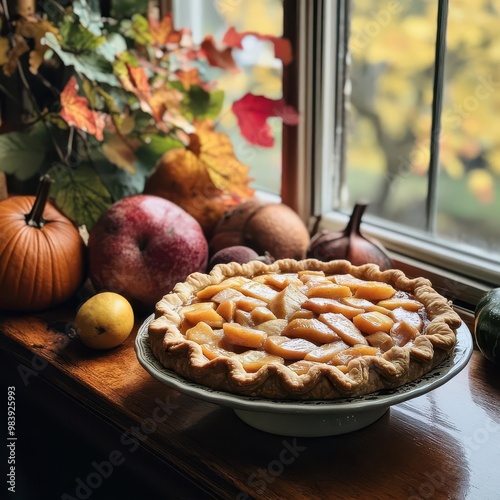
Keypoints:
pixel 487 325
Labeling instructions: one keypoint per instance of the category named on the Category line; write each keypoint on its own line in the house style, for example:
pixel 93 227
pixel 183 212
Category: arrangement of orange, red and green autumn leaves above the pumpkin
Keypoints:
pixel 102 102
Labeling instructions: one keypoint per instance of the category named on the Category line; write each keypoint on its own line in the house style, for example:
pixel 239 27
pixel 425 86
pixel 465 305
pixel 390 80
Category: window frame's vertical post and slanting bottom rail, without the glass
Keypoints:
pixel 307 181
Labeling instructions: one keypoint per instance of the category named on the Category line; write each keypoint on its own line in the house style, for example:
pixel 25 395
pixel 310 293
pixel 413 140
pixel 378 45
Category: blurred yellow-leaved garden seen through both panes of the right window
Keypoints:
pixel 392 48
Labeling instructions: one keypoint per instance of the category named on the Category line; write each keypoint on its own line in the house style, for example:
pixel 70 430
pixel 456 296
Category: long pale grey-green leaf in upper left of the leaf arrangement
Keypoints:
pixel 91 65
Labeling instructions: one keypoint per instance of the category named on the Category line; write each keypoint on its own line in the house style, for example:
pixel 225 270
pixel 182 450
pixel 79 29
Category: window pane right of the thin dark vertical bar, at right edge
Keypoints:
pixel 469 183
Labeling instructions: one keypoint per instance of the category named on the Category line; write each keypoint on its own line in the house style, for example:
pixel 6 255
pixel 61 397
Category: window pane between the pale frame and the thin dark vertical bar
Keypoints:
pixel 392 46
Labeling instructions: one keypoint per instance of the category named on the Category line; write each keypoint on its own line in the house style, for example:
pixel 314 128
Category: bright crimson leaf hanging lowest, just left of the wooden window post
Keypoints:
pixel 252 112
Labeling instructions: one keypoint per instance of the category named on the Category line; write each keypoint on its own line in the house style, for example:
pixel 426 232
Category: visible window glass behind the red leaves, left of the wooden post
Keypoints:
pixel 260 72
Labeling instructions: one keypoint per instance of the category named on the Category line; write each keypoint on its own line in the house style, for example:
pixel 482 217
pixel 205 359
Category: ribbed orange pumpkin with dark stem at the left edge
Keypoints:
pixel 42 255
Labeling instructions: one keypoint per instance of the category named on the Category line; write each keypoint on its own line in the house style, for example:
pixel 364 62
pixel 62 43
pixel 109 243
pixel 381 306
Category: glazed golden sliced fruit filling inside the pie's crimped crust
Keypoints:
pixel 301 320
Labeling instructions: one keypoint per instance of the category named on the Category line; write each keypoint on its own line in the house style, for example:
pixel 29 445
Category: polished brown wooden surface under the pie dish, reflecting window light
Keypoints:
pixel 445 444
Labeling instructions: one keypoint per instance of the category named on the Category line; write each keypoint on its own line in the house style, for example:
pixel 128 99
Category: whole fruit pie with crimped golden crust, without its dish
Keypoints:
pixel 302 330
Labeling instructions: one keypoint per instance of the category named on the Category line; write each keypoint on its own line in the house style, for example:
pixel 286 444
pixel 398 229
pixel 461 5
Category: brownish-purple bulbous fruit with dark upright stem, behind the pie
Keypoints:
pixel 349 244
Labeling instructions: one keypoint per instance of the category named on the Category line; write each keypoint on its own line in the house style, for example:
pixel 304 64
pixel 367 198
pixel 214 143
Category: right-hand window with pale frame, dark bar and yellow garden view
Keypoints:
pixel 419 145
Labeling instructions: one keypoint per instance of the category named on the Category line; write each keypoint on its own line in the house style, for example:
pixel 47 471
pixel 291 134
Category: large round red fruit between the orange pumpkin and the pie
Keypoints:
pixel 142 246
